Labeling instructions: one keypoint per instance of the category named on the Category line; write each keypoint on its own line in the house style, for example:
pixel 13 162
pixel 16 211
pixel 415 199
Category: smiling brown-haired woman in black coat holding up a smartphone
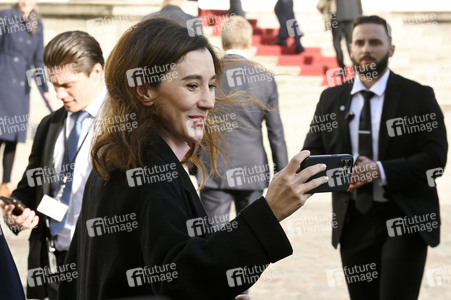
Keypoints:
pixel 139 179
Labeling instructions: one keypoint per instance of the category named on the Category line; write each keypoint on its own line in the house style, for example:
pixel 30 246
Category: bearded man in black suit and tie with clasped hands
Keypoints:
pixel 390 214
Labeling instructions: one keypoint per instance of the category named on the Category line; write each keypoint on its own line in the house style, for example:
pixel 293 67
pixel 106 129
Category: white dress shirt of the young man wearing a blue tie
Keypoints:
pixel 82 169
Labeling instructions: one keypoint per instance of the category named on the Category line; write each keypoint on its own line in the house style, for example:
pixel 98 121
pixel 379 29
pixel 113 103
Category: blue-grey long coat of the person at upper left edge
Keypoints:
pixel 20 51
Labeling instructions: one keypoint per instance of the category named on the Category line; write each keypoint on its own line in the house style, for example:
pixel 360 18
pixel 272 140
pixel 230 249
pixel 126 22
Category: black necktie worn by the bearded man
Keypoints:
pixel 364 199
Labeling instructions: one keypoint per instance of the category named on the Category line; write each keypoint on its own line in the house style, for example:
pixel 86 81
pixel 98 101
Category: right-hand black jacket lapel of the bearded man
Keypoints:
pixel 391 102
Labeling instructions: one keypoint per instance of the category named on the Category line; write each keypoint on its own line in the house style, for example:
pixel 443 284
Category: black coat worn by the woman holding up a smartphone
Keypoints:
pixel 163 210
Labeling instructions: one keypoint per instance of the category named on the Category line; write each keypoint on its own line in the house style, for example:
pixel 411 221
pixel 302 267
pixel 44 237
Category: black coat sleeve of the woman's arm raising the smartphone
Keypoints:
pixel 247 244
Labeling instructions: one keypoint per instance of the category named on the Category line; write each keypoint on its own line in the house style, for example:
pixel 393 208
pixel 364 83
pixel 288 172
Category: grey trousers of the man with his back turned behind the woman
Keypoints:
pixel 217 202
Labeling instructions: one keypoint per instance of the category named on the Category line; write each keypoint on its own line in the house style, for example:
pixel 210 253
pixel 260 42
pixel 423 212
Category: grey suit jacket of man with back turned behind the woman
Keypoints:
pixel 244 141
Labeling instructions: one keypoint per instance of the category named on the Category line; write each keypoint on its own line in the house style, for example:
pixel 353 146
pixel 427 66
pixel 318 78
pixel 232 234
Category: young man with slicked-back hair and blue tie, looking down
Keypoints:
pixel 59 163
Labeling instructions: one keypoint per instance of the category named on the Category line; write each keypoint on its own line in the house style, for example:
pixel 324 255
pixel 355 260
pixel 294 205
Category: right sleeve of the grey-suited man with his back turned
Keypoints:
pixel 275 131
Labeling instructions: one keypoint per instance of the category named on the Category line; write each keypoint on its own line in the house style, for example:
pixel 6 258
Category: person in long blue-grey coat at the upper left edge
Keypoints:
pixel 21 46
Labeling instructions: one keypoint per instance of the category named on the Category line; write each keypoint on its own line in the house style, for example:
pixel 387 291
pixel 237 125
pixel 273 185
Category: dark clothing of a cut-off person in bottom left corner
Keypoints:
pixel 10 285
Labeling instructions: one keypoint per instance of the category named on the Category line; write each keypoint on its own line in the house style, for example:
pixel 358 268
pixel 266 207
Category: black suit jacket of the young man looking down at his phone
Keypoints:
pixel 41 156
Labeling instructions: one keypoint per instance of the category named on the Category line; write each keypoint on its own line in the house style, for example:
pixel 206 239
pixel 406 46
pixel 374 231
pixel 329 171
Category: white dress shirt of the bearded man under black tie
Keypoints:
pixel 376 103
